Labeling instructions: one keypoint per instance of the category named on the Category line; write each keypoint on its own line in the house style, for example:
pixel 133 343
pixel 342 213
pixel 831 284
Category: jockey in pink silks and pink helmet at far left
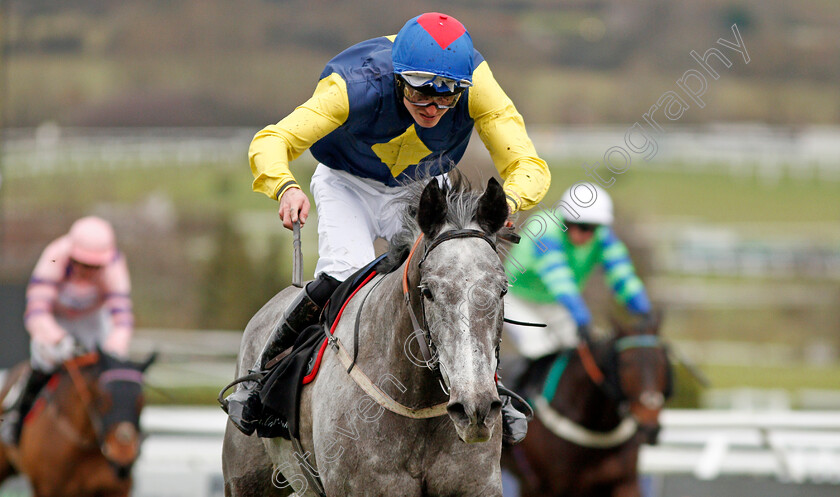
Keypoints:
pixel 78 297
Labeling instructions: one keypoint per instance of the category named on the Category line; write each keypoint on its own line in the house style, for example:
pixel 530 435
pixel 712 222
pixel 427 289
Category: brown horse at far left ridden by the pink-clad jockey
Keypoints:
pixel 82 435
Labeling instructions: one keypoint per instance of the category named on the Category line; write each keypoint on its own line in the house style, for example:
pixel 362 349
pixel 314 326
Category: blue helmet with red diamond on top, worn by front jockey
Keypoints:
pixel 434 52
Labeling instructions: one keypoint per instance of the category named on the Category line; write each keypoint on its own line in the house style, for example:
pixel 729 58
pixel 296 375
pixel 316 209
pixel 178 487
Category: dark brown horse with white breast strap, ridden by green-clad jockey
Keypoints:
pixel 595 406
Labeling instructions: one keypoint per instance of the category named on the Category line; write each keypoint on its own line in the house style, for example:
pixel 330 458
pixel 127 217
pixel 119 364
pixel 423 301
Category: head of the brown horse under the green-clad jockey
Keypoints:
pixel 642 375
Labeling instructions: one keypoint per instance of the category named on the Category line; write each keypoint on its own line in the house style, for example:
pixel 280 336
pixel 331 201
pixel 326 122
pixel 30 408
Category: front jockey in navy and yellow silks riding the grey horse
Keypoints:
pixel 385 112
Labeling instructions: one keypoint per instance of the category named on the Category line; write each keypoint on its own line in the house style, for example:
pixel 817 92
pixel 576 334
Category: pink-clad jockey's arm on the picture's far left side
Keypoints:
pixel 42 292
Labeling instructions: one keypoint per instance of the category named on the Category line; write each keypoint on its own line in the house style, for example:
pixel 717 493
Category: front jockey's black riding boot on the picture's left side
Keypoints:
pixel 243 406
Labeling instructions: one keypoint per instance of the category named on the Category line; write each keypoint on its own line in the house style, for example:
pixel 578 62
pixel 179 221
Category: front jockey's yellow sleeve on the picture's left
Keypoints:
pixel 278 144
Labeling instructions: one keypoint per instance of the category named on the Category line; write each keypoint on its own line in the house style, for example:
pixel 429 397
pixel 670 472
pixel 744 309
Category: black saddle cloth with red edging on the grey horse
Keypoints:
pixel 280 393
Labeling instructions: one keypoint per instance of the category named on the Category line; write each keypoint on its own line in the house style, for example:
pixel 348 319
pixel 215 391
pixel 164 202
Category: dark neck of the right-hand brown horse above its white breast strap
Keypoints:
pixel 584 402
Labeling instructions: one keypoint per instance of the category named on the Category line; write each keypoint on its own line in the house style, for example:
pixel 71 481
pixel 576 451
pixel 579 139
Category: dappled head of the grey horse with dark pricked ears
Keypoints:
pixel 462 282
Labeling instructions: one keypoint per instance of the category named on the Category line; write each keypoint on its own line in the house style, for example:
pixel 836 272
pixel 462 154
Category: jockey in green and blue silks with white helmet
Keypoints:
pixel 553 269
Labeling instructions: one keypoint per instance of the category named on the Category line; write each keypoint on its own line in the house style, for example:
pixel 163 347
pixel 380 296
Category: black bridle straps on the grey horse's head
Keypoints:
pixel 420 333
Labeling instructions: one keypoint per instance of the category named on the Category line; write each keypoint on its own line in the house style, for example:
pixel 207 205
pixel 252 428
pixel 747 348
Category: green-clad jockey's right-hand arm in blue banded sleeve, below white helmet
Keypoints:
pixel 621 275
